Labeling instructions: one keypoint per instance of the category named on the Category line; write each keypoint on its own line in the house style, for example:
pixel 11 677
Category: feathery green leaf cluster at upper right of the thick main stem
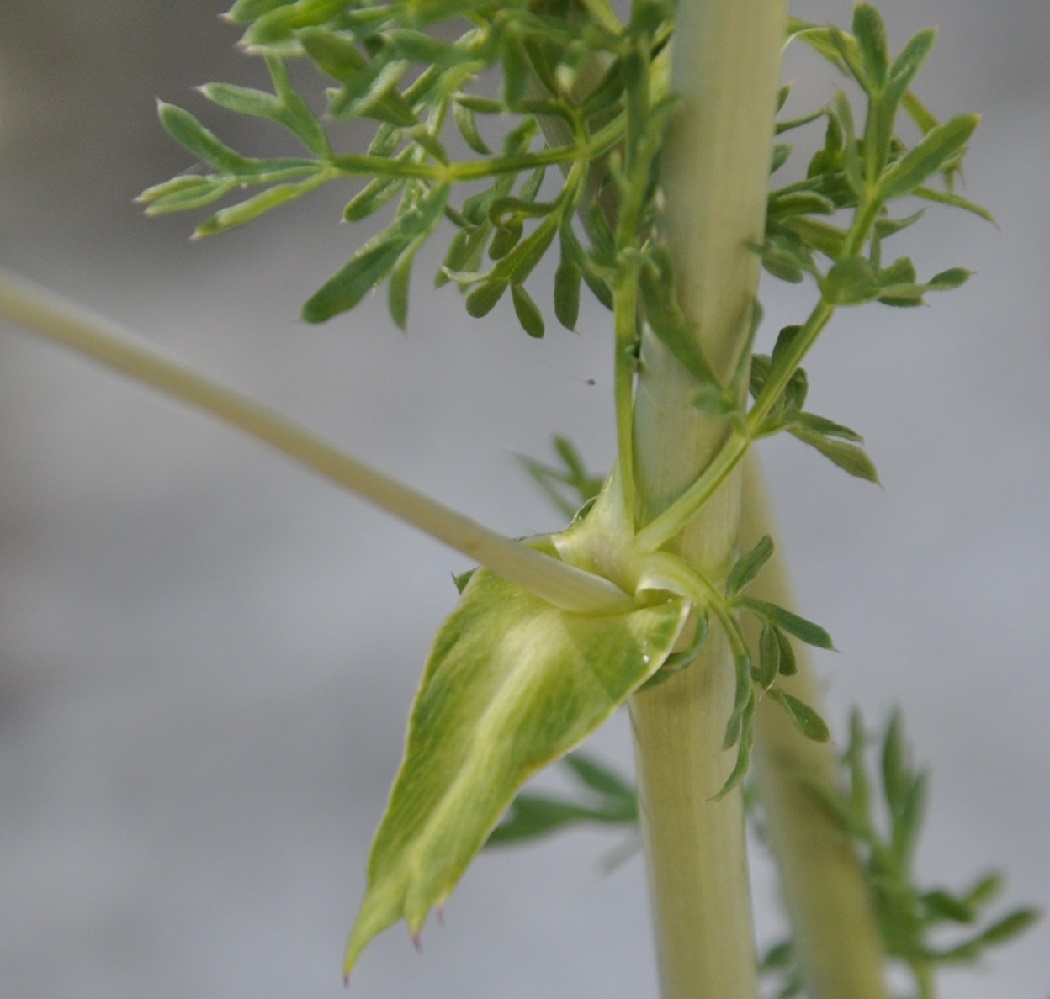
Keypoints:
pixel 863 170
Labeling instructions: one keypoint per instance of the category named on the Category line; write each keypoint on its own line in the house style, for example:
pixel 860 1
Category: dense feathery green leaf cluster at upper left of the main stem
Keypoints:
pixel 421 74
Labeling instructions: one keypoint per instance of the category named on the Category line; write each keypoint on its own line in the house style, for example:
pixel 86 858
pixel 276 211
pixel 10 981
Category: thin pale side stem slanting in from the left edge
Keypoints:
pixel 58 320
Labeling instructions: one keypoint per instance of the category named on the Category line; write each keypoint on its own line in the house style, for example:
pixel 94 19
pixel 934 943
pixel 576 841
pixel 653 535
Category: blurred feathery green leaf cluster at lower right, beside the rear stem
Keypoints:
pixel 881 811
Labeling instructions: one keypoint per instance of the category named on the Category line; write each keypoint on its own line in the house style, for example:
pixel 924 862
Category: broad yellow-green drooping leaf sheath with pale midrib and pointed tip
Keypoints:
pixel 511 685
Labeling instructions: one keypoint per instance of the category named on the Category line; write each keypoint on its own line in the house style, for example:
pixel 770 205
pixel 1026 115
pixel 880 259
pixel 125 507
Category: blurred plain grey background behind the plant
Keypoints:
pixel 206 657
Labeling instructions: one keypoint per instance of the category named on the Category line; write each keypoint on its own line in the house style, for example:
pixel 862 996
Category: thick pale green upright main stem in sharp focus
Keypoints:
pixel 716 178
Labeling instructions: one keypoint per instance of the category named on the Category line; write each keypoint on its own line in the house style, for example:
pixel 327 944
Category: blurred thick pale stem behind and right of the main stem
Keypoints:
pixel 838 945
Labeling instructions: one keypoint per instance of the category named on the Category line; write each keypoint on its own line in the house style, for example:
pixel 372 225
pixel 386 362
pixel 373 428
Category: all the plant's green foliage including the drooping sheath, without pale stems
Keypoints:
pixel 580 90
